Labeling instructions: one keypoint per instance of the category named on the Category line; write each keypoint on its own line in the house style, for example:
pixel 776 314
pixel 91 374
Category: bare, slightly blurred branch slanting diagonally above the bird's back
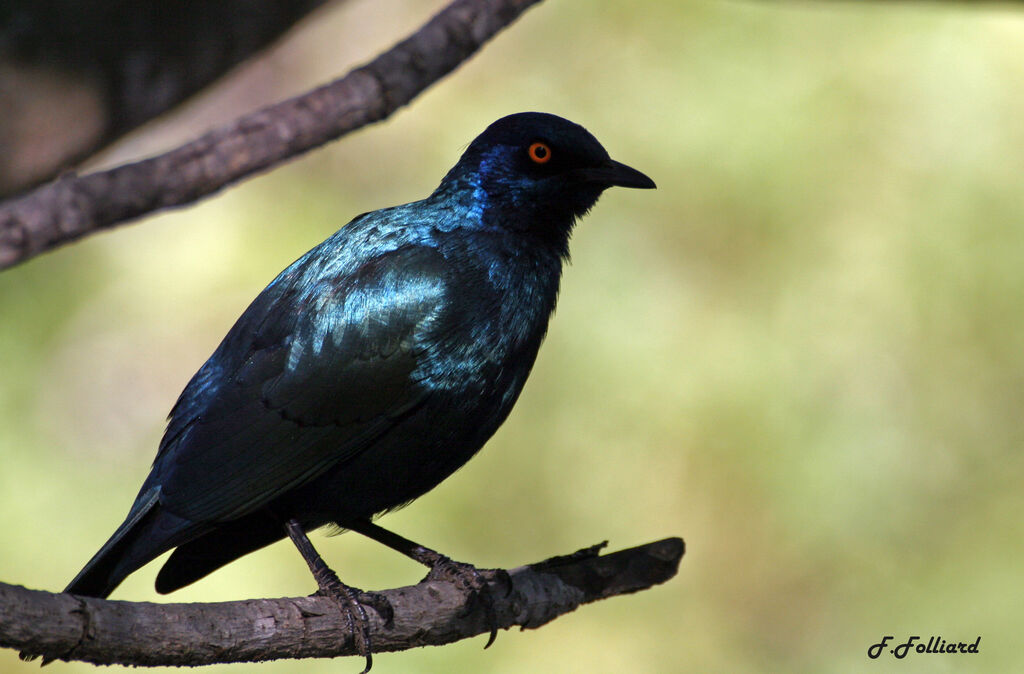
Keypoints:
pixel 75 206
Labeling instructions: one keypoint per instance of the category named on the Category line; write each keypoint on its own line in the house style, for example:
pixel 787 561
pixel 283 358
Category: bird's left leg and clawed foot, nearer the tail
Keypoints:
pixel 351 599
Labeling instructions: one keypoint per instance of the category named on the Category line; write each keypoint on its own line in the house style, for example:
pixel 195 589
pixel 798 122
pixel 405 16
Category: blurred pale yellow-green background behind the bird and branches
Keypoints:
pixel 802 354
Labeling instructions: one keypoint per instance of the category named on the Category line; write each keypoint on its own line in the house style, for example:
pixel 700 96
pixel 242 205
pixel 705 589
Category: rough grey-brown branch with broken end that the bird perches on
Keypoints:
pixel 105 633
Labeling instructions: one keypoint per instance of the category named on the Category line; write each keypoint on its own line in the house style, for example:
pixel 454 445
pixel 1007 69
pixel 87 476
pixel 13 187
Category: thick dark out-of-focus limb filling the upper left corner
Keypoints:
pixel 76 76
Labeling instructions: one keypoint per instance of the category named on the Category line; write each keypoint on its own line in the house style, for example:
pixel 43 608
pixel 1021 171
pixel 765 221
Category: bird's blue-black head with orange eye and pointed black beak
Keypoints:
pixel 536 173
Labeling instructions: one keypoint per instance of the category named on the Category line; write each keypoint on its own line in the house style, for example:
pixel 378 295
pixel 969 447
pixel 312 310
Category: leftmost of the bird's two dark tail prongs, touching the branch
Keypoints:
pixel 148 532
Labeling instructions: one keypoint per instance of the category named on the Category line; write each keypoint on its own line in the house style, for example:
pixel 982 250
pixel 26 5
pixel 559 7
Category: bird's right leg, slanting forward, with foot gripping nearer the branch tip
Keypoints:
pixel 476 583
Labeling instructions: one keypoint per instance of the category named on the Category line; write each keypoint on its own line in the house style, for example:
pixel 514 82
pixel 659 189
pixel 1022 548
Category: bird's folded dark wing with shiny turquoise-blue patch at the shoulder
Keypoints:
pixel 311 375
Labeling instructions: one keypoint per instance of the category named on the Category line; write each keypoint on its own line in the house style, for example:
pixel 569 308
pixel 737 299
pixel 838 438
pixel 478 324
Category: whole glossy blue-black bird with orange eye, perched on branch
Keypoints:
pixel 369 370
